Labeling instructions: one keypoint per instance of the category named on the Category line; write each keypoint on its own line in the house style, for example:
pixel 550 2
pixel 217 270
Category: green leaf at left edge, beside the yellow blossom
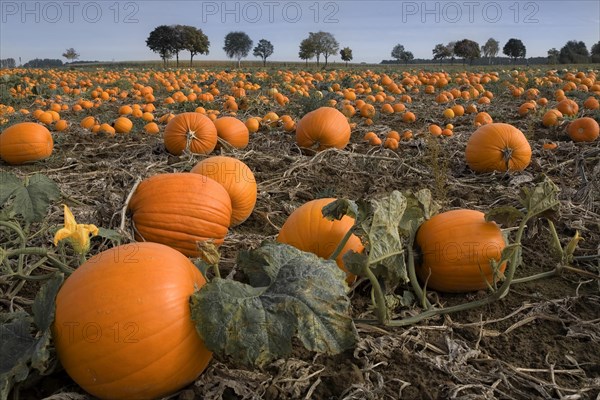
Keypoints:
pixel 31 197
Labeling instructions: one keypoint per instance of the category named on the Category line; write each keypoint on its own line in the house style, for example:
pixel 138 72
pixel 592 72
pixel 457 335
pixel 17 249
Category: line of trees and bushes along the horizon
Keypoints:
pixel 170 40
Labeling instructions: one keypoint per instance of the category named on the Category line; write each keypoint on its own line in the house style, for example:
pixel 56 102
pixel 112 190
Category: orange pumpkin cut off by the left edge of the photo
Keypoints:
pixel 25 142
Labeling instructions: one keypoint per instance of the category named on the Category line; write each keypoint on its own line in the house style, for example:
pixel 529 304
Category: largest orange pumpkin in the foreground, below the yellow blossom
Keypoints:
pixel 123 328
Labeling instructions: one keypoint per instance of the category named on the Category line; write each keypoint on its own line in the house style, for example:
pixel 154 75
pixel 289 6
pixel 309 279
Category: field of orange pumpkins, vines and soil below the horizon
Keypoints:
pixel 361 232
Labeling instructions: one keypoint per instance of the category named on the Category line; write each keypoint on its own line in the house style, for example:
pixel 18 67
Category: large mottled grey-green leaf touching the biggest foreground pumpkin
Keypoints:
pixel 291 293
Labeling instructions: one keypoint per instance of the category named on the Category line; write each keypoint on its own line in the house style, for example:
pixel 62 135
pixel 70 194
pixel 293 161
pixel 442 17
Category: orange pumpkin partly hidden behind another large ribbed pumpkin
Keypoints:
pixel 237 179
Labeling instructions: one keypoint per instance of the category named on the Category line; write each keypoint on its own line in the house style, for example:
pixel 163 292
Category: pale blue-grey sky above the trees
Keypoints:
pixel 107 30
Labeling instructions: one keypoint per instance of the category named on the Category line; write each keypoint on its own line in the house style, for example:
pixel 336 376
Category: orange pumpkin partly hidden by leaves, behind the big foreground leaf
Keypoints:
pixel 307 230
